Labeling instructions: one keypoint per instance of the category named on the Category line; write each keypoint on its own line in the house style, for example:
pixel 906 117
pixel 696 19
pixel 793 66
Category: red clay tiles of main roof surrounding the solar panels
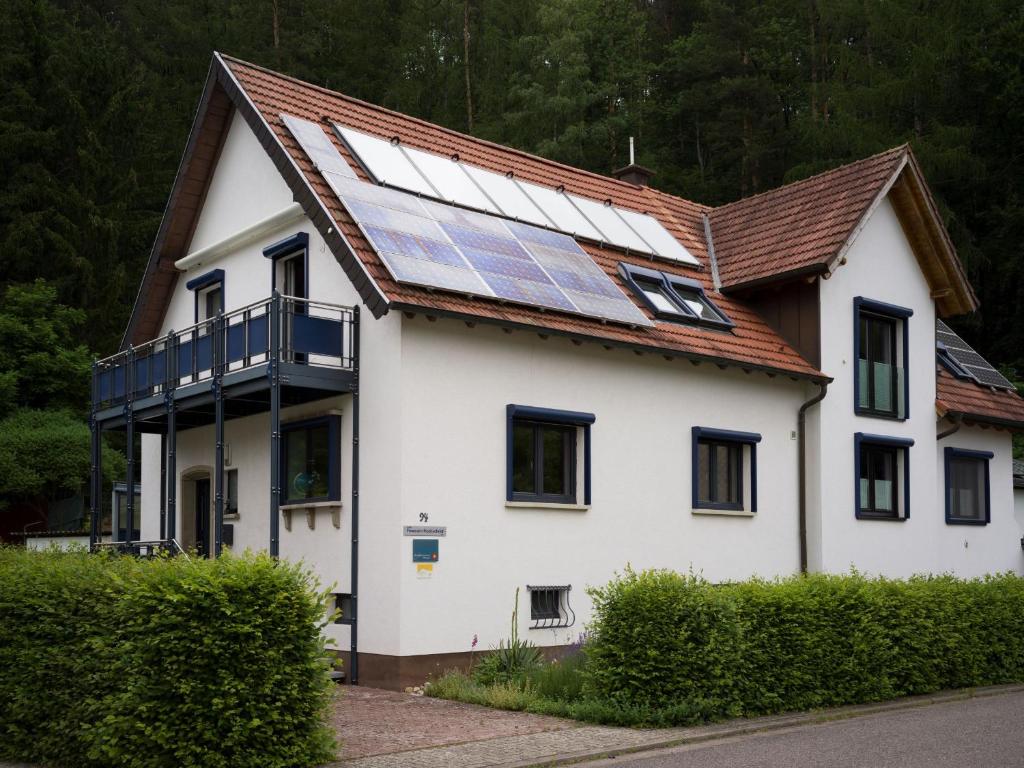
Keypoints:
pixel 752 345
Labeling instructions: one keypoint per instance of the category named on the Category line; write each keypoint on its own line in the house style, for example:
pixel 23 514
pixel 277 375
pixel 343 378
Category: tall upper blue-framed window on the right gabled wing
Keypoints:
pixel 881 342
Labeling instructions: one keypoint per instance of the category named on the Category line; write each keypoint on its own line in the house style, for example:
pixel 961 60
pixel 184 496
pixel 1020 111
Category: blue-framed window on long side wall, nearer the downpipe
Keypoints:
pixel 724 463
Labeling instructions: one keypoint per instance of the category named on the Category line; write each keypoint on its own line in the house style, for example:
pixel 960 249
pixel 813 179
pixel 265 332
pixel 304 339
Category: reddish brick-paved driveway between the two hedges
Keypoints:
pixel 371 721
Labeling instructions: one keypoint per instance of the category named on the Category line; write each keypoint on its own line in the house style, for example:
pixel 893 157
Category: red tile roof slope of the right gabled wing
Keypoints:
pixel 800 227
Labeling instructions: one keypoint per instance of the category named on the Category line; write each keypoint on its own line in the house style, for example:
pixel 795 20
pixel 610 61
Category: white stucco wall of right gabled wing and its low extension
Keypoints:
pixel 882 267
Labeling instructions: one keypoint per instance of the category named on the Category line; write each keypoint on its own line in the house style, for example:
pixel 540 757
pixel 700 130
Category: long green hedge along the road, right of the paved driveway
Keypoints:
pixel 665 642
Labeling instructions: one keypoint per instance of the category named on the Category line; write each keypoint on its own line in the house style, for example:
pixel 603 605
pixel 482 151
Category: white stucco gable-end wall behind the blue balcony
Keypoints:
pixel 246 189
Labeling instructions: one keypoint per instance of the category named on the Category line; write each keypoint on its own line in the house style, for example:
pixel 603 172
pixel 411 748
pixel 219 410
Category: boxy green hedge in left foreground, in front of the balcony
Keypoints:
pixel 109 661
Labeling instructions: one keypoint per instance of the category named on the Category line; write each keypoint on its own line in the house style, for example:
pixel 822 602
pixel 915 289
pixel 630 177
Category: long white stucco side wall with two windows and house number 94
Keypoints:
pixel 457 383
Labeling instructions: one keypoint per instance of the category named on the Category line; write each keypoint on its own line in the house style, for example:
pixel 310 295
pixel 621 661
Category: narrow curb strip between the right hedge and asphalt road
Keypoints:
pixel 772 723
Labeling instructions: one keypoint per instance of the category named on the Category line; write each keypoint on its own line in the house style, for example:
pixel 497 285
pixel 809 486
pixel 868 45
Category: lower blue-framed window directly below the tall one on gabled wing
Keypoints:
pixel 882 473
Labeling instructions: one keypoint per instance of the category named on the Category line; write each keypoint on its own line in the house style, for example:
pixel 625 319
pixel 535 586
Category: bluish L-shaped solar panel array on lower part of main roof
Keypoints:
pixel 440 246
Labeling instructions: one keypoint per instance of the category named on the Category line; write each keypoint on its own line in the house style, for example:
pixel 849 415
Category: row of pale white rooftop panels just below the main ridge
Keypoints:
pixel 450 181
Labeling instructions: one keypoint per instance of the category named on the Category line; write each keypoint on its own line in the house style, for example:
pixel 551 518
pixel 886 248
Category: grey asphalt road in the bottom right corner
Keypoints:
pixel 975 734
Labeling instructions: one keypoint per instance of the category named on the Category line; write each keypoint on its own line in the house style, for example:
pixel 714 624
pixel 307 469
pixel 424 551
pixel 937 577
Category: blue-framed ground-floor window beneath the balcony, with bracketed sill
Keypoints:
pixel 311 461
